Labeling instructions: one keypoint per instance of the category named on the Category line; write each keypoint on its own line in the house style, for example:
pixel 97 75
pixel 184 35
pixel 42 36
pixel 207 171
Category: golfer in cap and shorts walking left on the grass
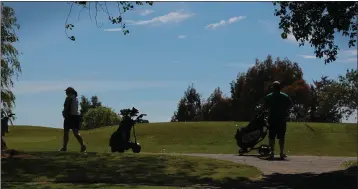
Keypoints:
pixel 72 119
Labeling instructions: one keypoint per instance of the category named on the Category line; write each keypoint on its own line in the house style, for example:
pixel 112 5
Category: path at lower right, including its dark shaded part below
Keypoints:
pixel 297 172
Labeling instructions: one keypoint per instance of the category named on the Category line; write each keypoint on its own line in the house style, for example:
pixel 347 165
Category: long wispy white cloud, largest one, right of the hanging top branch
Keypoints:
pixel 177 16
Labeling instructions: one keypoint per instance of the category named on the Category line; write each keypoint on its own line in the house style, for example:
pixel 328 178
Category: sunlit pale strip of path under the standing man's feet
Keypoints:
pixel 293 164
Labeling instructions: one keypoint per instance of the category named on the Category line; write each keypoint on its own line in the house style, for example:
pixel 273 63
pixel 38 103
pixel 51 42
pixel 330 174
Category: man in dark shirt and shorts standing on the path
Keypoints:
pixel 278 105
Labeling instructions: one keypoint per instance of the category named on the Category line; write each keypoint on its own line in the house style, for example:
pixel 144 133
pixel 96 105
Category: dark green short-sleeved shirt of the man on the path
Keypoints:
pixel 278 105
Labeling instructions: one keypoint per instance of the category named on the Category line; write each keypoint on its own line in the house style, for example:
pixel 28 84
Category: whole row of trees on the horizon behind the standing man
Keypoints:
pixel 325 100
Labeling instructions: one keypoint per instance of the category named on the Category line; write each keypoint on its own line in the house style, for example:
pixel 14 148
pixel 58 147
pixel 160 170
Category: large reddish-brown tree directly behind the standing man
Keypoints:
pixel 249 90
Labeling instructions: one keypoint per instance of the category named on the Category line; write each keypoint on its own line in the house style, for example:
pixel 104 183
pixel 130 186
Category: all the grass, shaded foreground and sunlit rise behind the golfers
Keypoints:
pixel 39 165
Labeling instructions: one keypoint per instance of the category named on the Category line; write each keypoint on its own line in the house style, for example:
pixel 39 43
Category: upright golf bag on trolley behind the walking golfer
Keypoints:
pixel 120 139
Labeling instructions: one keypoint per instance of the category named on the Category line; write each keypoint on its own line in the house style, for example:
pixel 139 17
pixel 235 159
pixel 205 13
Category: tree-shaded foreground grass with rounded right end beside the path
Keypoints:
pixel 88 170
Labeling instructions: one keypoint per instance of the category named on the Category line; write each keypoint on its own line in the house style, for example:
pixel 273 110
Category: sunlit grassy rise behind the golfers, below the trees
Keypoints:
pixel 201 137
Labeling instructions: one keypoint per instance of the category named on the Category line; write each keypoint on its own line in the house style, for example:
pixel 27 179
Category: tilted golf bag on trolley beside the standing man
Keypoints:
pixel 248 137
